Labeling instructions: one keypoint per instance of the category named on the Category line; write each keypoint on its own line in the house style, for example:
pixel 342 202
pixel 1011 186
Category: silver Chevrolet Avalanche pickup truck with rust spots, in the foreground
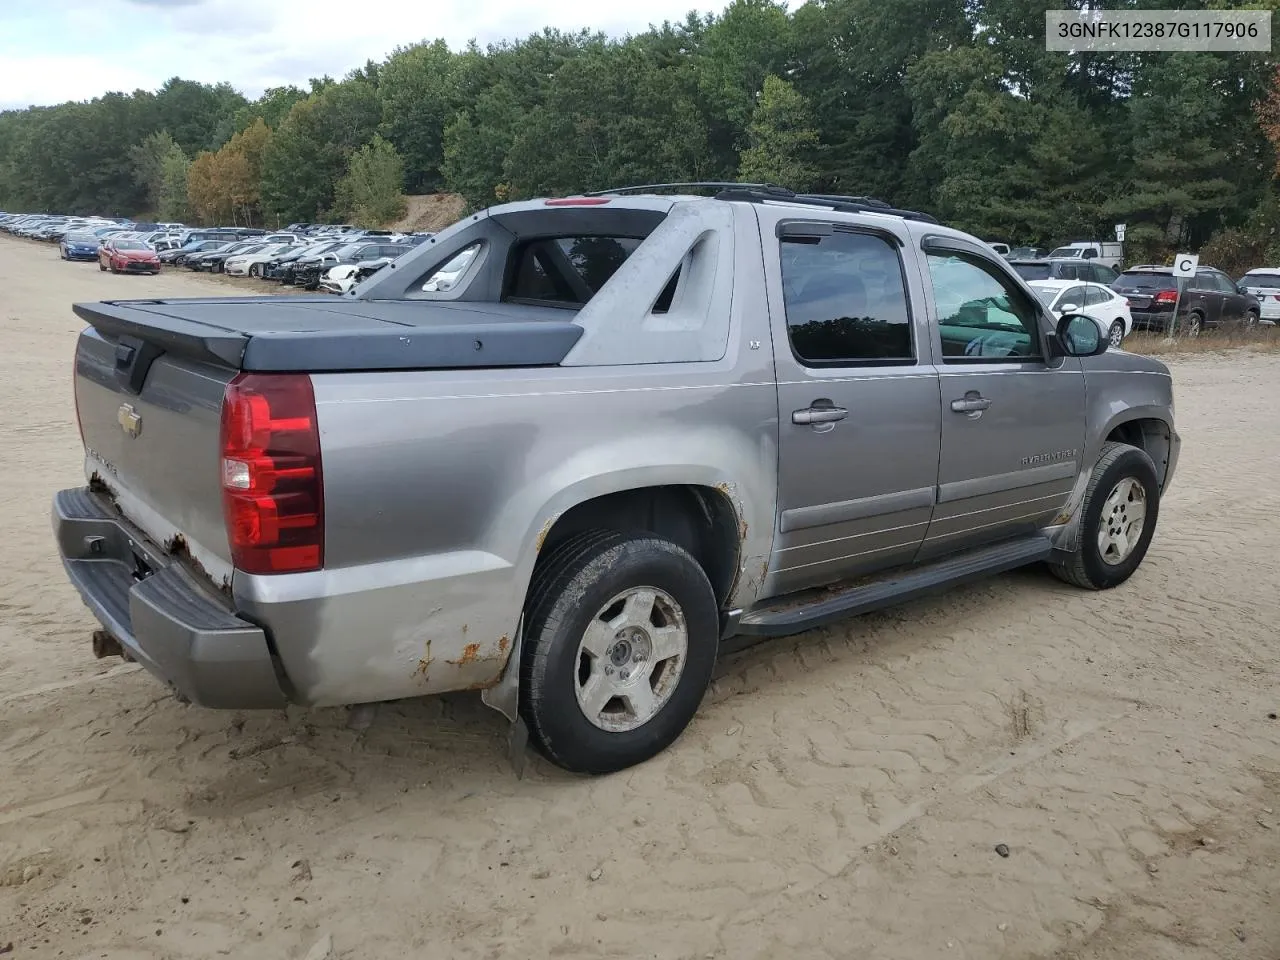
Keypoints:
pixel 566 449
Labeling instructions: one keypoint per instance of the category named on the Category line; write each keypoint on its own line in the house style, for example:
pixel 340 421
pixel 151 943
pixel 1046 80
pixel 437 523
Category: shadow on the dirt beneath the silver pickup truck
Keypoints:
pixel 455 748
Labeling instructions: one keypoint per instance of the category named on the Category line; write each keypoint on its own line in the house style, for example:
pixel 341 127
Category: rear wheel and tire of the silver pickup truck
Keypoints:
pixel 561 680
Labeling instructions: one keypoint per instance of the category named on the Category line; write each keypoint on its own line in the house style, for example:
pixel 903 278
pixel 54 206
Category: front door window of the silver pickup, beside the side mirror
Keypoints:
pixel 981 314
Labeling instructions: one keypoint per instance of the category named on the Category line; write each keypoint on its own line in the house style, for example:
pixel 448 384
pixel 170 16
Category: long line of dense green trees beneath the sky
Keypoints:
pixel 952 107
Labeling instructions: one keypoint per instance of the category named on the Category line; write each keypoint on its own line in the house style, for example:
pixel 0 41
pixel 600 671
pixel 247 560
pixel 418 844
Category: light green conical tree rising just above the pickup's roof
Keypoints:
pixel 783 139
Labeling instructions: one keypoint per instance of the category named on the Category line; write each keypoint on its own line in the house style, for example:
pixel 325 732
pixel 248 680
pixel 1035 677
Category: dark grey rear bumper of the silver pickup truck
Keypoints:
pixel 167 621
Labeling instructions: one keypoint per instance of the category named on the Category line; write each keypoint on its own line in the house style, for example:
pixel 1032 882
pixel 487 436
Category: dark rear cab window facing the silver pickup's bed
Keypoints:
pixel 568 269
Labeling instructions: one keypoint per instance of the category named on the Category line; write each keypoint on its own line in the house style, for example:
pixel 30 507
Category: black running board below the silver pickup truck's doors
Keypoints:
pixel 817 609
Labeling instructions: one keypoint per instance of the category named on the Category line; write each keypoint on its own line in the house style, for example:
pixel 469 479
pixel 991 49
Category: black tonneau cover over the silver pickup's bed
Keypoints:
pixel 322 335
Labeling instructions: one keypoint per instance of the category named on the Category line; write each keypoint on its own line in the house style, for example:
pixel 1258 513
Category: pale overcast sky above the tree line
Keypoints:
pixel 57 51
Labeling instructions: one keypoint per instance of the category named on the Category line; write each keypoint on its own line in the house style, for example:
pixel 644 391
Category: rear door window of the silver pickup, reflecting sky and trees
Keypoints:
pixel 845 300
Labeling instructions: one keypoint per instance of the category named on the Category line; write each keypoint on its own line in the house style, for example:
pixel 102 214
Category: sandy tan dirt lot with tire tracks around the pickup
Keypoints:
pixel 840 796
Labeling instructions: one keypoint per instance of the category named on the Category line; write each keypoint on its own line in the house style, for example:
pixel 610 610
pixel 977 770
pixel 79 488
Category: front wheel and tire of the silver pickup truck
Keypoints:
pixel 1108 506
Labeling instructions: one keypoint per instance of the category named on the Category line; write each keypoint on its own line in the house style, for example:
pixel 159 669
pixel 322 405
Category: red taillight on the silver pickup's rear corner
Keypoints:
pixel 273 490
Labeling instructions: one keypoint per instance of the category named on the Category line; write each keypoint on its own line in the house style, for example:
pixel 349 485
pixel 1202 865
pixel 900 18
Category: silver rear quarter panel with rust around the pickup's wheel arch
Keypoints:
pixel 441 488
